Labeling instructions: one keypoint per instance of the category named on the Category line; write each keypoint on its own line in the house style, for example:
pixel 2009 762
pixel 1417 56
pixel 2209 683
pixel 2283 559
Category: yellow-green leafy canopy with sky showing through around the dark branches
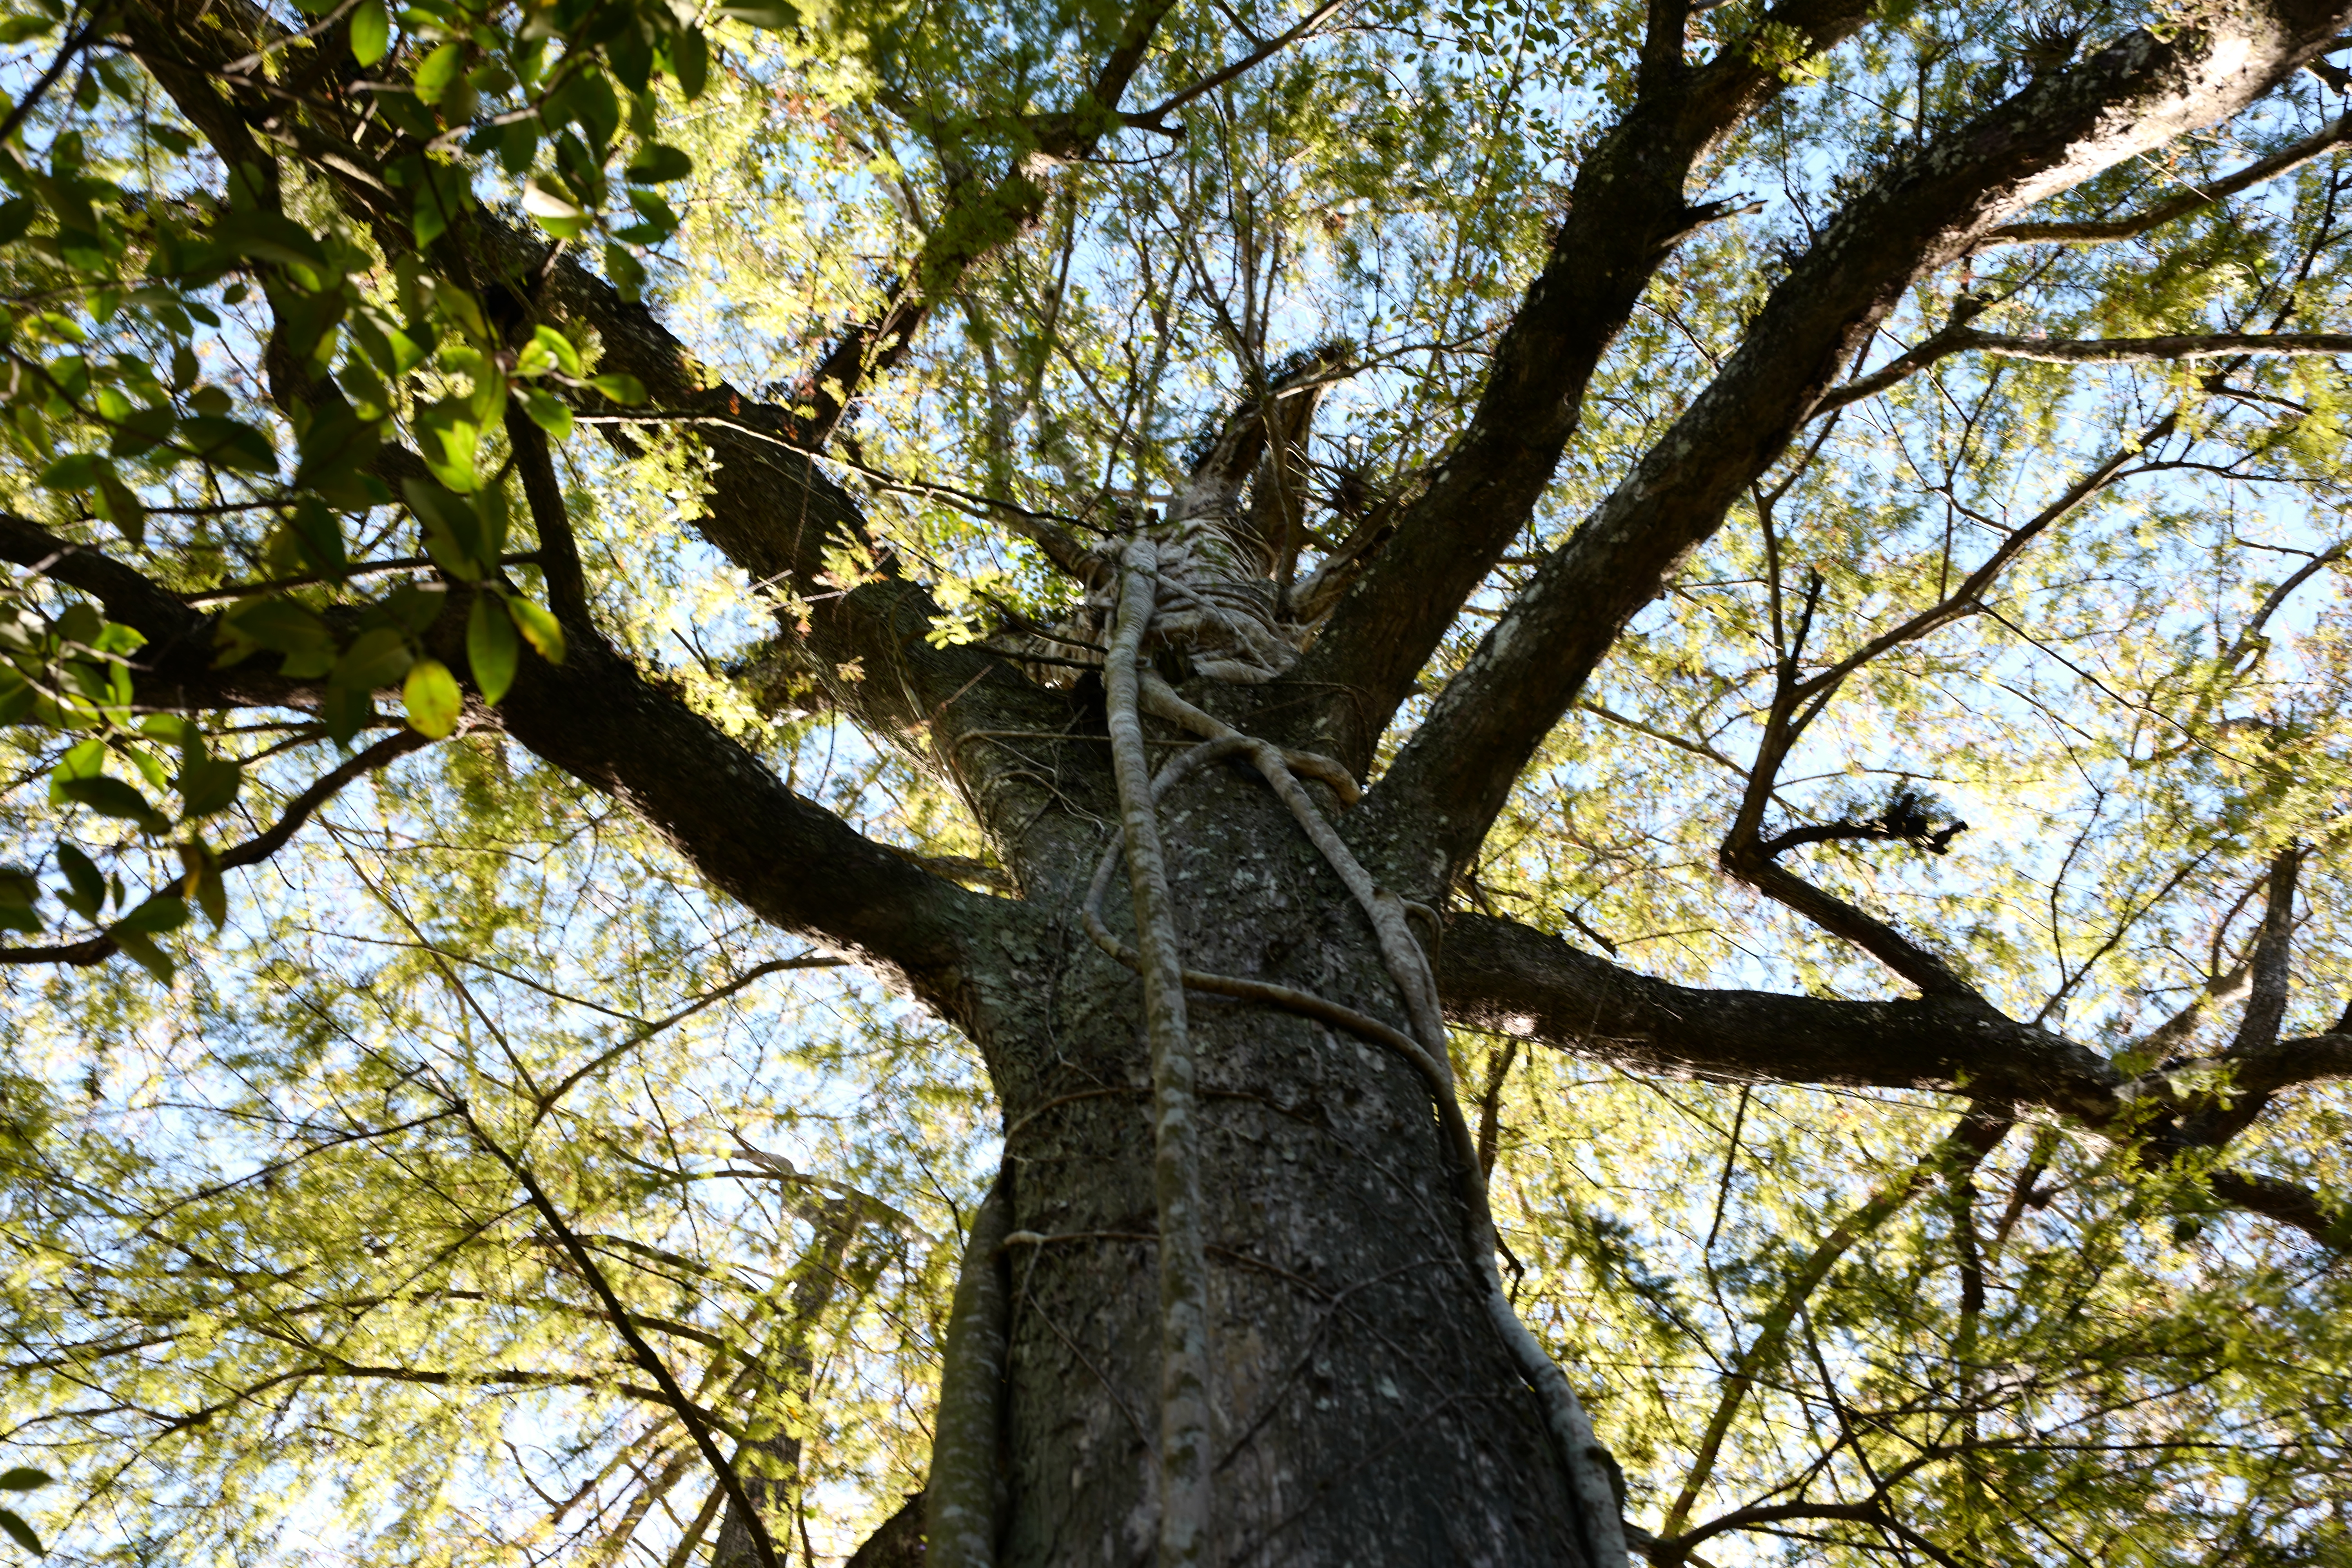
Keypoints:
pixel 269 1280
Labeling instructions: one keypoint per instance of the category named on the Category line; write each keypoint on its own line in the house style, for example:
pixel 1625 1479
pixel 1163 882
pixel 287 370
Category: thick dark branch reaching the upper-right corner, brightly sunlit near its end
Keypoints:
pixel 2057 133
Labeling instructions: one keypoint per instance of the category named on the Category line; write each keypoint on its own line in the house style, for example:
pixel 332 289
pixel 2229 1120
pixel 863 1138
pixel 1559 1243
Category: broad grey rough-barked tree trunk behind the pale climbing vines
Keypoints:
pixel 1365 1407
